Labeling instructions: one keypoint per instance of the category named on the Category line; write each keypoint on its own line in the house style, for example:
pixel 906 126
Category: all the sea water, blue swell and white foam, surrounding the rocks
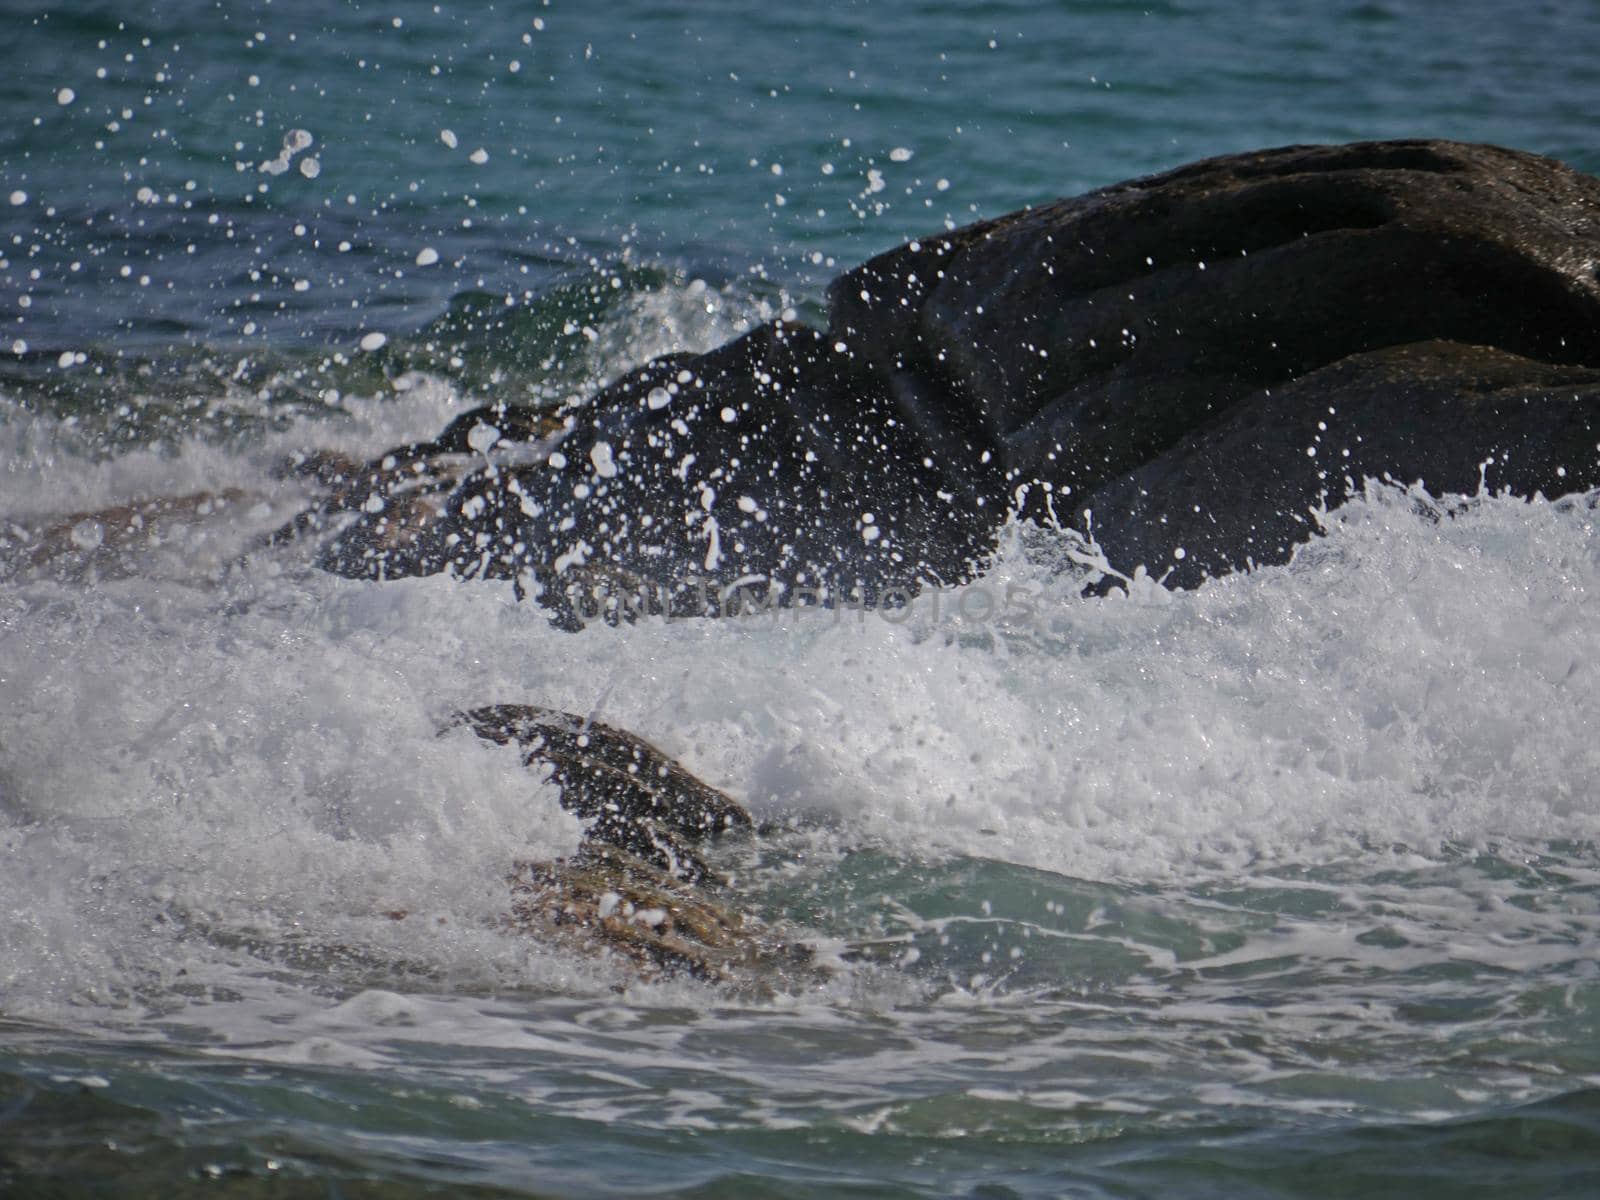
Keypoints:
pixel 1287 887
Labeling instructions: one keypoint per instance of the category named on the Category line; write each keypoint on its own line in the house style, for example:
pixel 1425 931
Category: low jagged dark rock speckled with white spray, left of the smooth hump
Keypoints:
pixel 772 462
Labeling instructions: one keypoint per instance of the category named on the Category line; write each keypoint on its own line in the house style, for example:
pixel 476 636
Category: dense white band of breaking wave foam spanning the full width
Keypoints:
pixel 263 761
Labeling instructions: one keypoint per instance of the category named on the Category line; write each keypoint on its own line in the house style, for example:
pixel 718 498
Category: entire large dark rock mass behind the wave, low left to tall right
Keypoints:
pixel 1162 354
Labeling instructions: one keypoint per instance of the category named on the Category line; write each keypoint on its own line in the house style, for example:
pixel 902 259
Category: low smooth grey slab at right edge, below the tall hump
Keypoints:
pixel 1242 490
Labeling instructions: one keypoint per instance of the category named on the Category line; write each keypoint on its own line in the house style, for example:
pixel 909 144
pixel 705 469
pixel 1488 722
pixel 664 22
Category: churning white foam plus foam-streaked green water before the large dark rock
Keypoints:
pixel 1303 841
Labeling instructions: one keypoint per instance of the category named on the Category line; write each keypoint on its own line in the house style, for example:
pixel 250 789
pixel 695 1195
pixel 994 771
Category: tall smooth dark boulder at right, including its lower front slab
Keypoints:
pixel 1191 356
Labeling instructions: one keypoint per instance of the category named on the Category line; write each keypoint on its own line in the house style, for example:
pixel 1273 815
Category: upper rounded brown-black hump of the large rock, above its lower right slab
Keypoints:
pixel 1092 335
